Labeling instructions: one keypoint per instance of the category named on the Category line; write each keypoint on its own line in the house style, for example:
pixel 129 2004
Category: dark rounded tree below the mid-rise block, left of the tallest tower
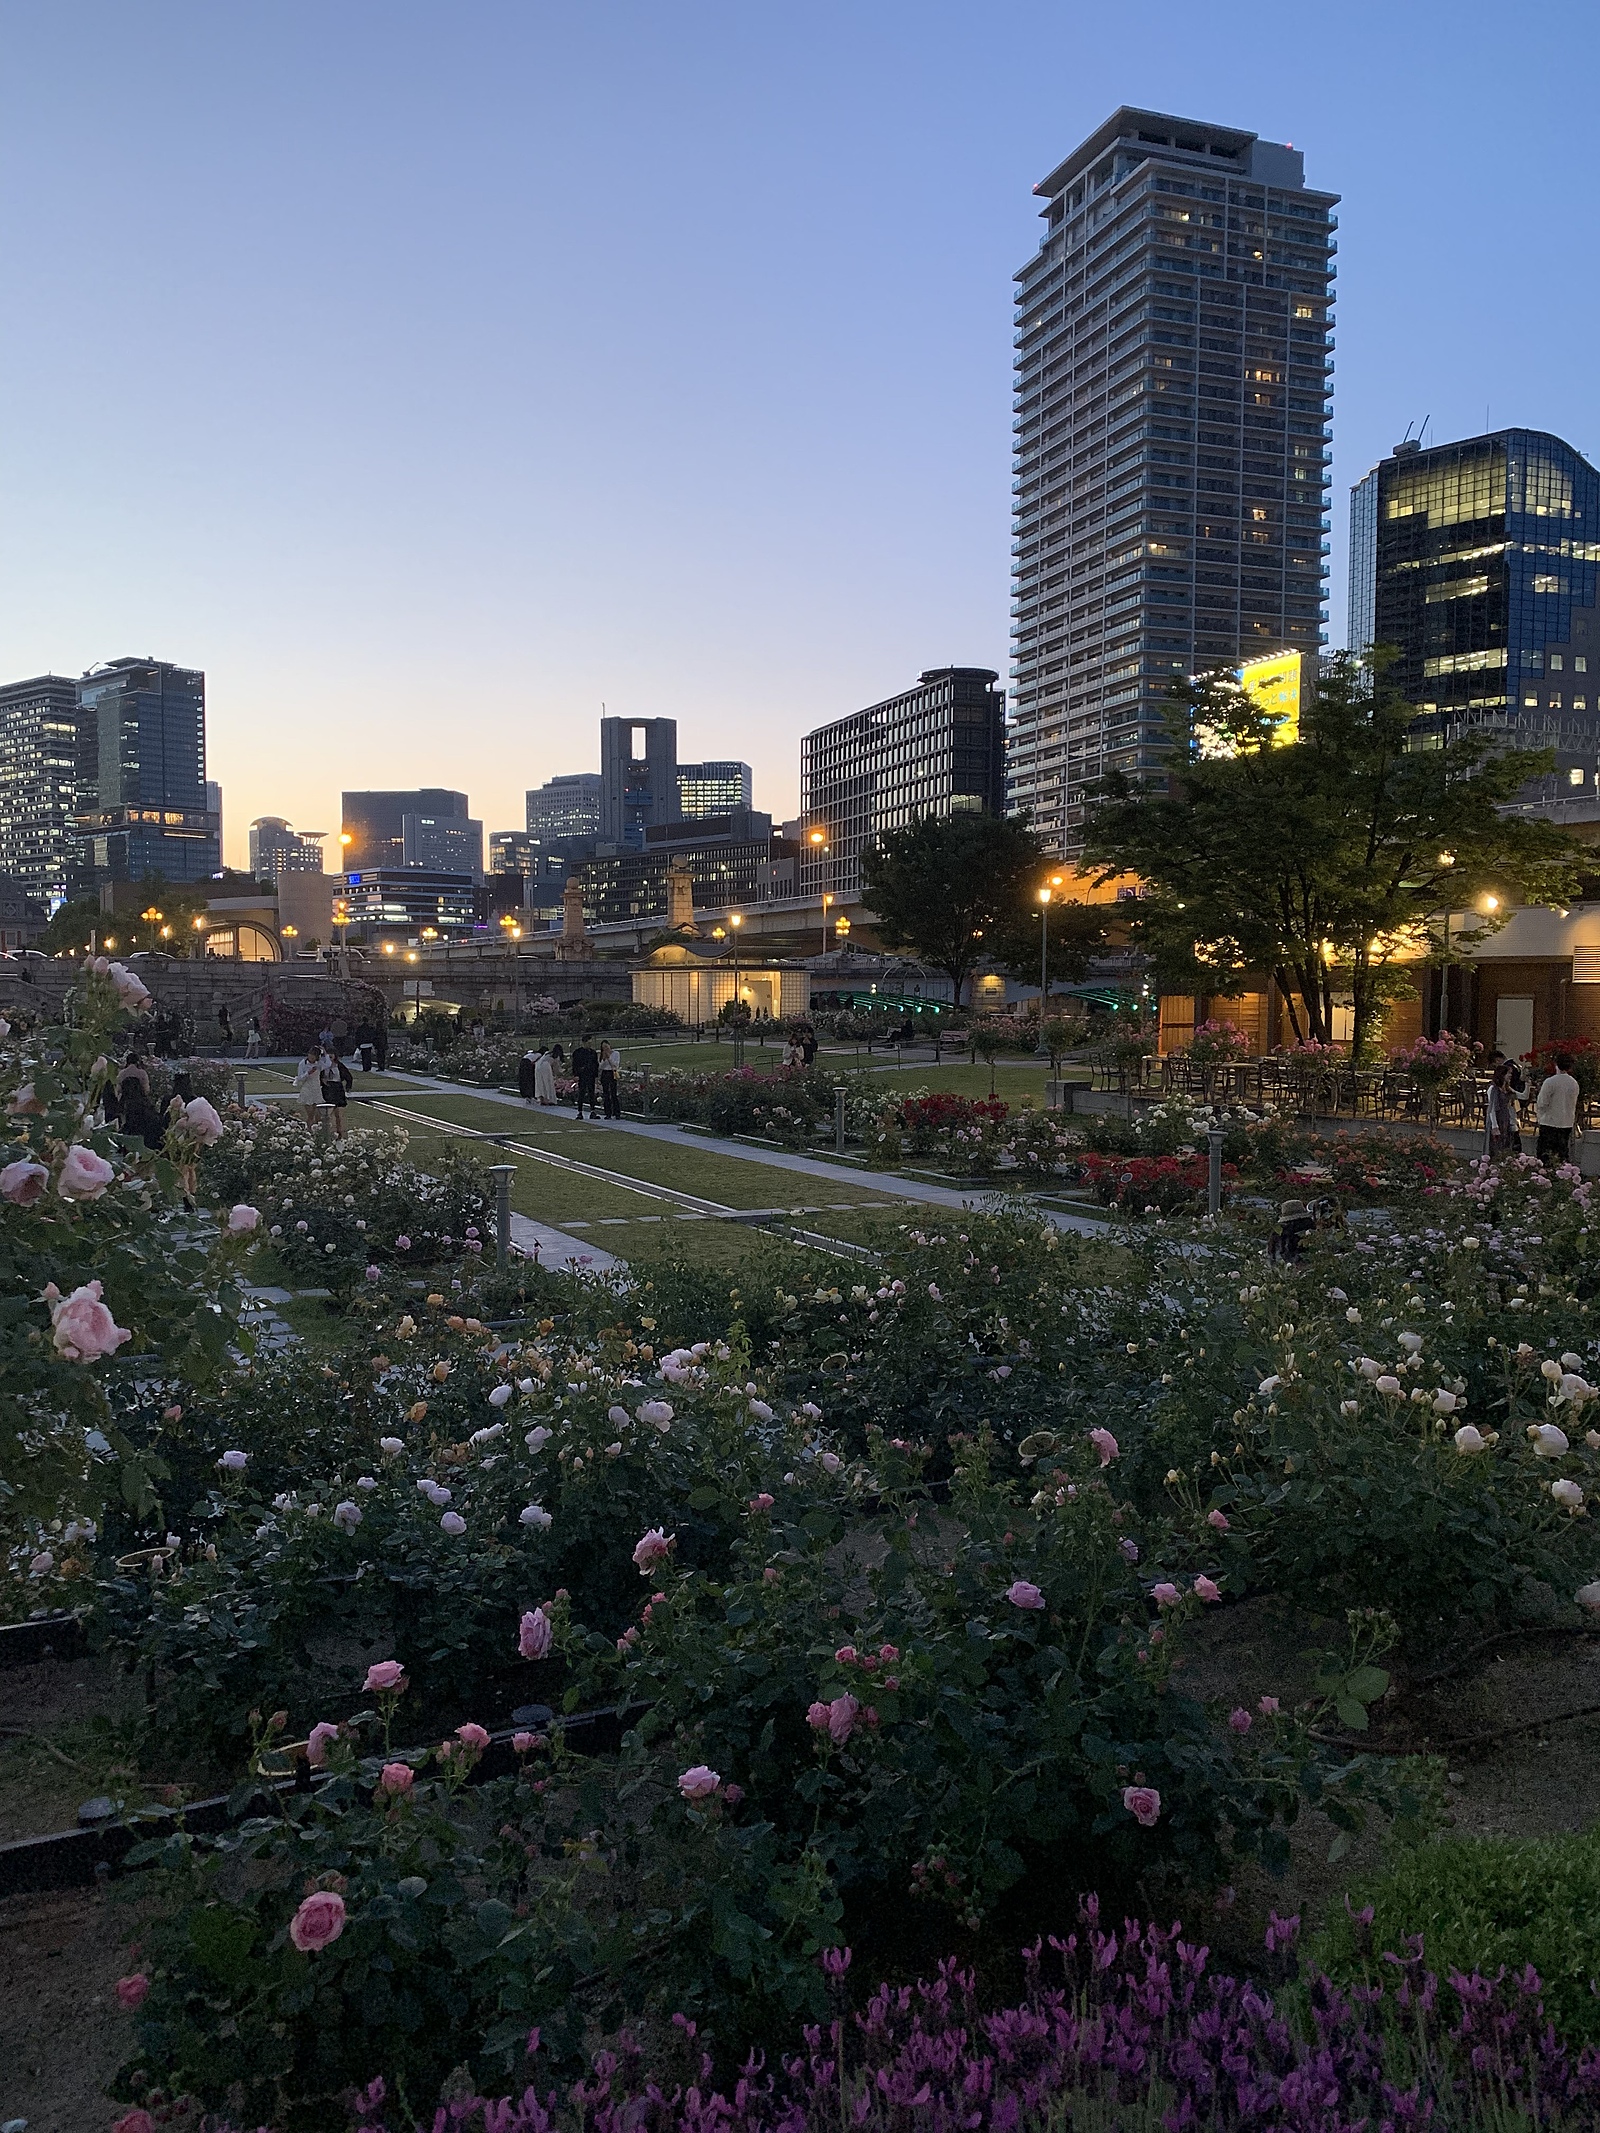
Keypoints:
pixel 946 882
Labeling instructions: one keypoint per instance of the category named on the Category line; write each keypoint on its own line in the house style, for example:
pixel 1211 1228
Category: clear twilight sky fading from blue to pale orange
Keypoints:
pixel 432 374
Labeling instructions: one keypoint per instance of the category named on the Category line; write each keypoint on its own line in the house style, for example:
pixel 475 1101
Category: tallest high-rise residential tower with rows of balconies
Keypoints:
pixel 1172 402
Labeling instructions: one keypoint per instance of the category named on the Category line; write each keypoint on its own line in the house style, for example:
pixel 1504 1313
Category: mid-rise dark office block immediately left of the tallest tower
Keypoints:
pixel 938 750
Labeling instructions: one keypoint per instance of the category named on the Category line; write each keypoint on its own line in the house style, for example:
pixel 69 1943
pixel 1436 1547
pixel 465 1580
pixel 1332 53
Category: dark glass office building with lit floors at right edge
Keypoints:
pixel 1479 564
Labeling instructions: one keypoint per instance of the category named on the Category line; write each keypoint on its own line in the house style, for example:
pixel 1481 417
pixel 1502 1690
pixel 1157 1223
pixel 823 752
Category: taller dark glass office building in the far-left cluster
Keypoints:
pixel 142 775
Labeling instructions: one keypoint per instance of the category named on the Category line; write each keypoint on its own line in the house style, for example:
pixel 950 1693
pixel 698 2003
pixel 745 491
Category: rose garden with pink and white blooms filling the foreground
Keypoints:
pixel 991 1673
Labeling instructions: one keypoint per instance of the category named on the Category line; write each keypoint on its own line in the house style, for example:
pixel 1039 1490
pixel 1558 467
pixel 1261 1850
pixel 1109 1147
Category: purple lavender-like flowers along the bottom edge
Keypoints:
pixel 1130 2027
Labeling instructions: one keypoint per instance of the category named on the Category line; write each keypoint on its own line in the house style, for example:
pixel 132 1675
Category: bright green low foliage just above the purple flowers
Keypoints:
pixel 1482 1904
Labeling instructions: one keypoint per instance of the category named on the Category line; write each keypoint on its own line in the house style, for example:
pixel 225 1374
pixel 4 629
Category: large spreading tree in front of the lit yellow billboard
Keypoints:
pixel 1330 863
